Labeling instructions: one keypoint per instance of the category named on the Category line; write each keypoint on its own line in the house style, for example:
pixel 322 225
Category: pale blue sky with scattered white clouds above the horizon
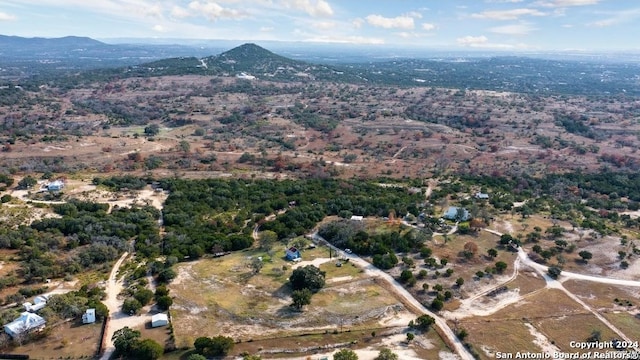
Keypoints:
pixel 509 25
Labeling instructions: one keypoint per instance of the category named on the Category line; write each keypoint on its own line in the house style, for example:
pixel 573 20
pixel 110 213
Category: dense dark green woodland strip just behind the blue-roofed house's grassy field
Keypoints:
pixel 205 216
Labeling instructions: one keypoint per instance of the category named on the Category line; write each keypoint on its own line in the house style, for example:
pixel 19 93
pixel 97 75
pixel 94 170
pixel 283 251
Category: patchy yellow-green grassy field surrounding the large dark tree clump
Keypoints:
pixel 222 296
